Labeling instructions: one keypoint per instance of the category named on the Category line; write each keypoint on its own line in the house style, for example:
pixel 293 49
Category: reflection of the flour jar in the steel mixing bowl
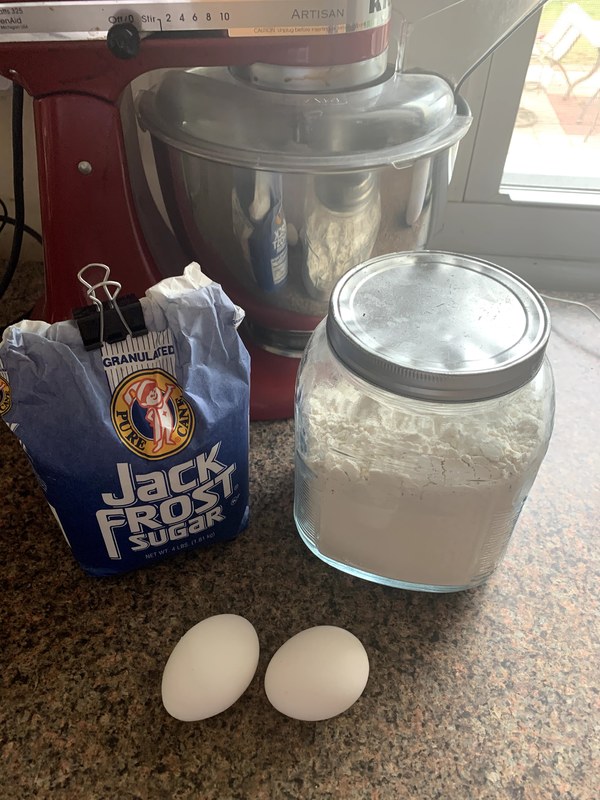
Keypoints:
pixel 342 222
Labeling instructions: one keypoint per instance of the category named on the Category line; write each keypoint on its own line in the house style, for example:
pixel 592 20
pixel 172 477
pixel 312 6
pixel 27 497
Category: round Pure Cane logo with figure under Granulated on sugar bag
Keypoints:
pixel 150 414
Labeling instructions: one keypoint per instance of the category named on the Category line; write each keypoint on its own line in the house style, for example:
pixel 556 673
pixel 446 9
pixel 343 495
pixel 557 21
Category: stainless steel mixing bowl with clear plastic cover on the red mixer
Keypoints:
pixel 277 194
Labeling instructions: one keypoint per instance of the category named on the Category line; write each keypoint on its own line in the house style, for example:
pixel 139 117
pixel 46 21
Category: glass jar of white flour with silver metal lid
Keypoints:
pixel 424 408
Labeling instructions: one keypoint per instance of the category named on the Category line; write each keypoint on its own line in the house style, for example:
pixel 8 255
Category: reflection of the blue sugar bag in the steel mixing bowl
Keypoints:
pixel 260 226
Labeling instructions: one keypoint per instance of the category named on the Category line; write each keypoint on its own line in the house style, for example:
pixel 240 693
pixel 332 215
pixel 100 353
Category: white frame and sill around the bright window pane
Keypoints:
pixel 554 245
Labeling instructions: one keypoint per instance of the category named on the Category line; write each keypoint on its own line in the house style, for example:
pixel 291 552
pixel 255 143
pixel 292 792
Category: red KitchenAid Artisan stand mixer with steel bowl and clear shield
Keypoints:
pixel 77 60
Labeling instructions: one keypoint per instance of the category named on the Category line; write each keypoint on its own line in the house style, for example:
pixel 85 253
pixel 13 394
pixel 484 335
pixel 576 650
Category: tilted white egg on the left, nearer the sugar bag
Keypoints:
pixel 210 667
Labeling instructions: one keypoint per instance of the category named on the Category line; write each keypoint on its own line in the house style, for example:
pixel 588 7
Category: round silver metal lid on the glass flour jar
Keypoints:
pixel 438 326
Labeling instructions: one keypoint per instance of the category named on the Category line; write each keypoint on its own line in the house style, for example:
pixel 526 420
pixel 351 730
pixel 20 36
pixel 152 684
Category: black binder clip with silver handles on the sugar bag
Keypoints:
pixel 111 320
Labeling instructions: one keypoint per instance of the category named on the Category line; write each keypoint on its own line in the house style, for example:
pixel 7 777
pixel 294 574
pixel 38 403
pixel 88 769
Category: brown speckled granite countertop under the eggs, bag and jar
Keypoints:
pixel 491 693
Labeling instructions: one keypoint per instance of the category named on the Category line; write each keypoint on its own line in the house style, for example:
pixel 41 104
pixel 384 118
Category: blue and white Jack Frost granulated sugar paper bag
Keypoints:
pixel 141 446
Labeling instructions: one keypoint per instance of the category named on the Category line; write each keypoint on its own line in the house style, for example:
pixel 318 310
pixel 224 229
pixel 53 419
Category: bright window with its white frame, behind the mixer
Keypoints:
pixel 526 189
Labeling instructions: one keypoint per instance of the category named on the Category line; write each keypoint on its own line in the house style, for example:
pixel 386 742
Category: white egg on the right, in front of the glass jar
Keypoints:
pixel 317 674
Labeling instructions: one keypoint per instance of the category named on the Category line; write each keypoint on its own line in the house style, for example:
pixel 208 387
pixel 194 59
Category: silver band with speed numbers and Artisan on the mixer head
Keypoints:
pixel 92 19
